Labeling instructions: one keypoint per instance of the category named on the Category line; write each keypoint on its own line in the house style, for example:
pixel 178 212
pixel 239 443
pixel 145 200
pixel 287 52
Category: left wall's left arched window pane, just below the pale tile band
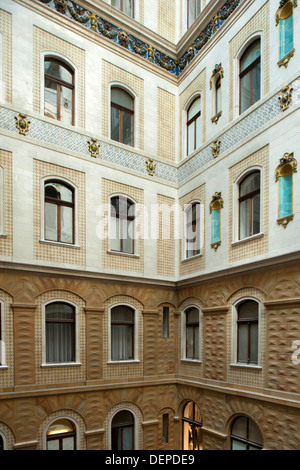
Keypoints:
pixel 59 212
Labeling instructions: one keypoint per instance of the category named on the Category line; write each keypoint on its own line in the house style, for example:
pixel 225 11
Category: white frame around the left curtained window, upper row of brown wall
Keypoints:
pixel 77 334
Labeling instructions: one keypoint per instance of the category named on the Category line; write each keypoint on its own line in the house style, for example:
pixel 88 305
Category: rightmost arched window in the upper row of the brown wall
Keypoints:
pixel 247 332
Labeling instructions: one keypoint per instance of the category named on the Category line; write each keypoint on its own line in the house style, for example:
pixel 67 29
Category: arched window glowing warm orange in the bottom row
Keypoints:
pixel 191 432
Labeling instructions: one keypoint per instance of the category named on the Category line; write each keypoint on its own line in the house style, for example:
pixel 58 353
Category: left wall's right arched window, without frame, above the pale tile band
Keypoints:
pixel 122 116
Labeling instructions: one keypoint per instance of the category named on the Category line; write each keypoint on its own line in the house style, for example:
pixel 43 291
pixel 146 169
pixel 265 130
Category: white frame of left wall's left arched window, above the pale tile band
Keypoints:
pixel 63 58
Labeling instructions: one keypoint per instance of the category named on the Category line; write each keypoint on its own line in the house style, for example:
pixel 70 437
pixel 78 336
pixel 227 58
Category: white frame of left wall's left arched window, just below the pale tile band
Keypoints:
pixel 76 209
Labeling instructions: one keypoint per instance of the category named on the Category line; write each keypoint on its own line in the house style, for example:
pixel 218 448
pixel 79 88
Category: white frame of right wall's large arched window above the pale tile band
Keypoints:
pixel 236 73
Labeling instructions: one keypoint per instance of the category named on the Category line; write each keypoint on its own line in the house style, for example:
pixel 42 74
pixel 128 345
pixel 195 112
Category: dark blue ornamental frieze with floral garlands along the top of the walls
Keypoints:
pixel 104 28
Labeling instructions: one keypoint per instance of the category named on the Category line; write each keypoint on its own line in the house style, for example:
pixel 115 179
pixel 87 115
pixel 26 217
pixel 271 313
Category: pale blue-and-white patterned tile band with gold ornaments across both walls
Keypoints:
pixel 68 140
